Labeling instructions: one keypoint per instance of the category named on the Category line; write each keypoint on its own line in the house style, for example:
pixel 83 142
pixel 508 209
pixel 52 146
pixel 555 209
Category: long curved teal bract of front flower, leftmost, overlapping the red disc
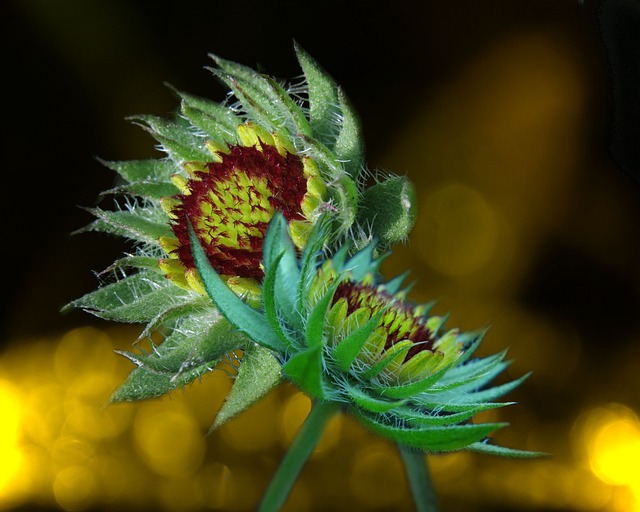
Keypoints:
pixel 243 316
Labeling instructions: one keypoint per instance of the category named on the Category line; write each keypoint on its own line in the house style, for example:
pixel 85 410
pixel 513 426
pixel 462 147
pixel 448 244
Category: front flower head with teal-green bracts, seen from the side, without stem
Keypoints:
pixel 342 337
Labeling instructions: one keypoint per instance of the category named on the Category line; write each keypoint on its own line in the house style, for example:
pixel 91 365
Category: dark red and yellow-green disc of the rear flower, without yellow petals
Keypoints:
pixel 231 203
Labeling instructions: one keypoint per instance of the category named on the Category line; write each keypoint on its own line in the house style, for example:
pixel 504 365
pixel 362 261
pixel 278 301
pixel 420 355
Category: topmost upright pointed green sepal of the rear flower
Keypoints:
pixel 323 98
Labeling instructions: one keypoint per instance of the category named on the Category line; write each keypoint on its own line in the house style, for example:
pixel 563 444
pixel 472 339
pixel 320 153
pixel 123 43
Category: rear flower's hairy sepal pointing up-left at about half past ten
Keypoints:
pixel 177 140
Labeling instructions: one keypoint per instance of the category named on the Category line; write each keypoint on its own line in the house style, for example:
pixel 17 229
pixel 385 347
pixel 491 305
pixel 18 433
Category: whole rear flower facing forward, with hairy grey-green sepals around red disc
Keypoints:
pixel 227 168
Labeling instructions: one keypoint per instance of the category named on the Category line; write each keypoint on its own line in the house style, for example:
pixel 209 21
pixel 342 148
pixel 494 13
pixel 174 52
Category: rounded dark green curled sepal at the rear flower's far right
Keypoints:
pixel 390 208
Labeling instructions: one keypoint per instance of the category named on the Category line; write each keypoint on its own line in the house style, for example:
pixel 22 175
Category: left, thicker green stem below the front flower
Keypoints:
pixel 302 447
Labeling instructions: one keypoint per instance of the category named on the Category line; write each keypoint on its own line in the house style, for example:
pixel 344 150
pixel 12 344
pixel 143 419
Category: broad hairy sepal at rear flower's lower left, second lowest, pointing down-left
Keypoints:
pixel 193 348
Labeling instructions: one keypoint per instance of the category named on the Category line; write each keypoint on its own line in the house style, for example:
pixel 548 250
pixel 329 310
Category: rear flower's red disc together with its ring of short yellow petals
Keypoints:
pixel 230 201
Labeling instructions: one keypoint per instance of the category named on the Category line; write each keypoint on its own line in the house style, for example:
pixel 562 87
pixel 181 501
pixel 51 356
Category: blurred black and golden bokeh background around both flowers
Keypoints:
pixel 518 122
